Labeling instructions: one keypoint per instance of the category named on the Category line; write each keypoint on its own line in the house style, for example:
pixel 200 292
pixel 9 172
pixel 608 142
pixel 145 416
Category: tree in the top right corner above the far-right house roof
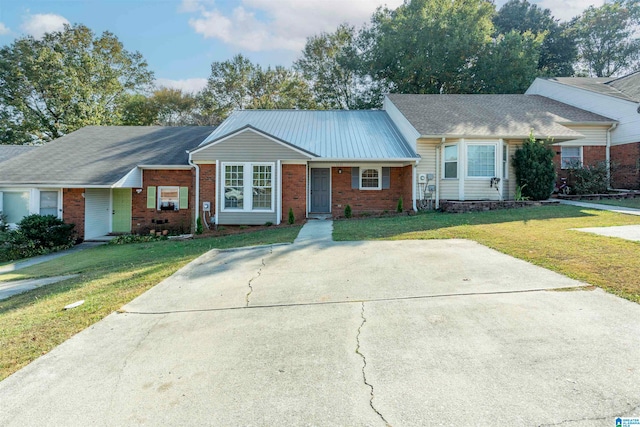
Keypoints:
pixel 608 38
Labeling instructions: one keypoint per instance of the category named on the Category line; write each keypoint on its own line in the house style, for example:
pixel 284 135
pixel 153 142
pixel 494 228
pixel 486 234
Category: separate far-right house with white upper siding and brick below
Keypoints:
pixel 618 98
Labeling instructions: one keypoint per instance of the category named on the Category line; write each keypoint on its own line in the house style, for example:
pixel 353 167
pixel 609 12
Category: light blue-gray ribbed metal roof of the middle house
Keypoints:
pixel 329 134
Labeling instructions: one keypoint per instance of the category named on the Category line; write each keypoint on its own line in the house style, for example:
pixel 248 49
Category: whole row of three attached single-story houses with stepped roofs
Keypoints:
pixel 259 164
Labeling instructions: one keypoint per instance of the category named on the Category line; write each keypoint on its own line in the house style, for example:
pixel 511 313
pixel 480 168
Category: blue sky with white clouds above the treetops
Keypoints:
pixel 181 38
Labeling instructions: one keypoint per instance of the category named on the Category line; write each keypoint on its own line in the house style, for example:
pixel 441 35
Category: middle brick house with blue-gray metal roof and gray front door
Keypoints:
pixel 258 164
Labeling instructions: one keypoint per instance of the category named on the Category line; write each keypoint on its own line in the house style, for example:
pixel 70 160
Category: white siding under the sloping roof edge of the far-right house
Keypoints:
pixel 625 112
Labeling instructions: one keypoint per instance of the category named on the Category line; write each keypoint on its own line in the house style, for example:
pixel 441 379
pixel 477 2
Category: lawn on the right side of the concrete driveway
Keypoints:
pixel 540 235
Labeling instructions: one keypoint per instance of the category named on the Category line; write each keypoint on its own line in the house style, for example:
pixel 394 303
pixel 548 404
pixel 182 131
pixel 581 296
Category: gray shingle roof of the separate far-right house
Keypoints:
pixel 626 87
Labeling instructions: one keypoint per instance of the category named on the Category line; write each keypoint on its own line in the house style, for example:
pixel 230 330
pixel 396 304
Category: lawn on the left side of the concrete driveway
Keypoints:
pixel 33 323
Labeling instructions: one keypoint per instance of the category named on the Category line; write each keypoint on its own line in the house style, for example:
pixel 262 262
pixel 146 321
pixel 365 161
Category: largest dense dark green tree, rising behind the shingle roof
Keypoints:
pixel 429 46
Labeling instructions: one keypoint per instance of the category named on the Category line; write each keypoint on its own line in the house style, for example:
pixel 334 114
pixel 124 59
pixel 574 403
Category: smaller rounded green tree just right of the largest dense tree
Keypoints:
pixel 508 64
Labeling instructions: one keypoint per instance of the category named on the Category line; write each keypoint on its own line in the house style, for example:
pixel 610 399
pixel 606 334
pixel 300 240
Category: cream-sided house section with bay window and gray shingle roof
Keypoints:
pixel 466 142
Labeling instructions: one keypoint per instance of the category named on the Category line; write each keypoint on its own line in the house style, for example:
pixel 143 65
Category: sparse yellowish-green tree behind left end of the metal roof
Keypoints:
pixel 238 84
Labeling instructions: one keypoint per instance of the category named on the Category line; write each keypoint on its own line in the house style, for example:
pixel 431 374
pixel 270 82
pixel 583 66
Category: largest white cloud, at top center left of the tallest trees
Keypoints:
pixel 261 25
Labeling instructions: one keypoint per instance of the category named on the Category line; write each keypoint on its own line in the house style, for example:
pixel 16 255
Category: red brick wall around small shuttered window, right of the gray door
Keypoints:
pixel 370 200
